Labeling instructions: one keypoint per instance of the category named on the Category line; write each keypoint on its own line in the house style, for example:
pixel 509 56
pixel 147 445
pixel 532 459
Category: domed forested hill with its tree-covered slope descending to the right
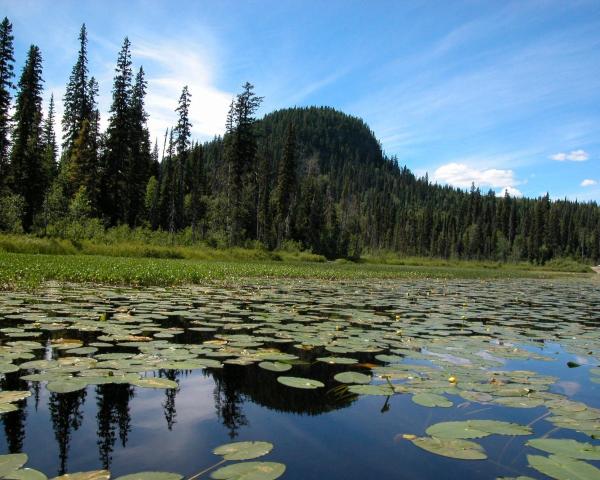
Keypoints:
pixel 350 198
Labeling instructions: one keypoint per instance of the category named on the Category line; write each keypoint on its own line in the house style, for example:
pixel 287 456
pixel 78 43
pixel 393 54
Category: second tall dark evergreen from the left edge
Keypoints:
pixel 27 150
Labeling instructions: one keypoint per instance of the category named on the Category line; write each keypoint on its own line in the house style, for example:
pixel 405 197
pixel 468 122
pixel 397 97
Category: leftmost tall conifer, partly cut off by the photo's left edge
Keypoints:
pixel 6 76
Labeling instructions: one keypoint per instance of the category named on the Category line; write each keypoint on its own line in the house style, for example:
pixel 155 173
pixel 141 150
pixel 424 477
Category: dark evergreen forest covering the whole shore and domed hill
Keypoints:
pixel 312 176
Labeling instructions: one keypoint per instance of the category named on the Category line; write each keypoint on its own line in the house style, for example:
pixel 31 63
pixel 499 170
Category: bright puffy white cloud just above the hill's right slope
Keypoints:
pixel 462 176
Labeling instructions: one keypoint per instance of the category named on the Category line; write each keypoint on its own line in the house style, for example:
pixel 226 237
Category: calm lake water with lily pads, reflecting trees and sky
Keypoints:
pixel 456 328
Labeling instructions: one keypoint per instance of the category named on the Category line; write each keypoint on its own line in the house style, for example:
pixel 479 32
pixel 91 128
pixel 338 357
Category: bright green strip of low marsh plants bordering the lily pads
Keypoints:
pixel 27 270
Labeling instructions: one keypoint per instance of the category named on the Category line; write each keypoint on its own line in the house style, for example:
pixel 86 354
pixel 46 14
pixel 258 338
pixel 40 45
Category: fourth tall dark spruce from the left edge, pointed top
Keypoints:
pixel 117 149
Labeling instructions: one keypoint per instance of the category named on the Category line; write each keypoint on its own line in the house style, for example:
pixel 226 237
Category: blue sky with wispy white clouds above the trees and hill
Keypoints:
pixel 505 94
